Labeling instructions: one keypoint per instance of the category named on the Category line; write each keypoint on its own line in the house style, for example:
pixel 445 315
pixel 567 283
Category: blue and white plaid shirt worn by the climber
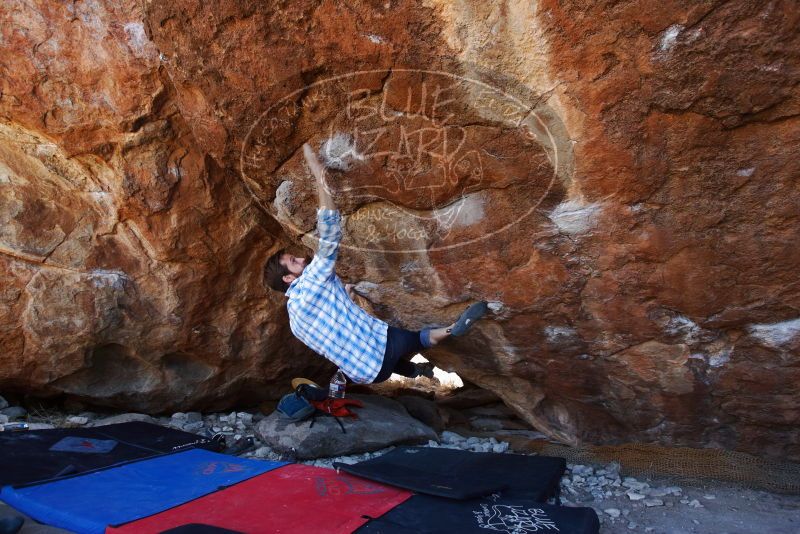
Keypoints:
pixel 322 315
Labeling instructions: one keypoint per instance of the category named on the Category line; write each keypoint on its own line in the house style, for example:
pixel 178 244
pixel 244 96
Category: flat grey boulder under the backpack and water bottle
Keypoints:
pixel 381 422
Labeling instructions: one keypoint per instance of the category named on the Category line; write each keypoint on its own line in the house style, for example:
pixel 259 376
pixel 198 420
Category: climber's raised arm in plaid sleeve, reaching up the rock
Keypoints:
pixel 328 224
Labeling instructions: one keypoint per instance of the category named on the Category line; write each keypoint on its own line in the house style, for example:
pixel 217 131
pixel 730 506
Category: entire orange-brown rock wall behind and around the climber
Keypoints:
pixel 620 180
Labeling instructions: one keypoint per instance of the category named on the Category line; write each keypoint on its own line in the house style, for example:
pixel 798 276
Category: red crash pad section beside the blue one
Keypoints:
pixel 292 499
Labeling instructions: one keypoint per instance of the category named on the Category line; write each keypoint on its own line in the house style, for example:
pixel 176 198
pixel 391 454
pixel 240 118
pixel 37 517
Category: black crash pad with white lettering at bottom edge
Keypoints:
pixel 423 514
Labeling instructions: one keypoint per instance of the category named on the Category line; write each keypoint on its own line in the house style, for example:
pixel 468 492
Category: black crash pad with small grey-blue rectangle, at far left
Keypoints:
pixel 38 455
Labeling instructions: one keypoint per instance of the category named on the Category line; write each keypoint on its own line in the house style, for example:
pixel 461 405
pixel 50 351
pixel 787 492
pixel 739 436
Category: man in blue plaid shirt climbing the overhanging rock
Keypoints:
pixel 323 315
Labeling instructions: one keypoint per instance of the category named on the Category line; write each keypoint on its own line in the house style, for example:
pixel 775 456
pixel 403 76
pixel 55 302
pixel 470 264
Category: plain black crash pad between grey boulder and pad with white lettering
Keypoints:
pixel 459 474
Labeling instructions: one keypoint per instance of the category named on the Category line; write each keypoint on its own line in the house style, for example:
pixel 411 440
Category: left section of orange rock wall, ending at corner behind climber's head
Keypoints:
pixel 130 259
